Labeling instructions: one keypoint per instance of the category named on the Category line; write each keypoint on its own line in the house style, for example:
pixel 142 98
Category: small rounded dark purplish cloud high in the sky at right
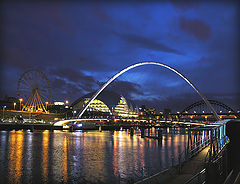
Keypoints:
pixel 195 27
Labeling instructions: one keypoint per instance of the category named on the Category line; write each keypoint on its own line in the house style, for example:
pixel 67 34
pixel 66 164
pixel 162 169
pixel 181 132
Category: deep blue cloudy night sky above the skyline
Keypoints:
pixel 81 45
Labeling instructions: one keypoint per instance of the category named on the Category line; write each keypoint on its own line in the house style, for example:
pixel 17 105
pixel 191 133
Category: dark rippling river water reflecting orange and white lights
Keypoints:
pixel 85 157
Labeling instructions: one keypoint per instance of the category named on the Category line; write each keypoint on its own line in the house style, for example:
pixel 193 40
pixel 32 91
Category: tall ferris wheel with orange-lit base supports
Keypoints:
pixel 35 90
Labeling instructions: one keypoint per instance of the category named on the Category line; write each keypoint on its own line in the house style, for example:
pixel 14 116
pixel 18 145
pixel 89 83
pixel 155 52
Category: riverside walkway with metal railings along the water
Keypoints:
pixel 205 144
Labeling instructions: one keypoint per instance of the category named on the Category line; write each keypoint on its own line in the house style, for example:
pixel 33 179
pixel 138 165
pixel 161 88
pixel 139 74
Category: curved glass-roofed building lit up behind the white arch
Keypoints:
pixel 108 103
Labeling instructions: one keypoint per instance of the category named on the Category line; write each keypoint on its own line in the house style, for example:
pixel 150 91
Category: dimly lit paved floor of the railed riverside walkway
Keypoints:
pixel 171 176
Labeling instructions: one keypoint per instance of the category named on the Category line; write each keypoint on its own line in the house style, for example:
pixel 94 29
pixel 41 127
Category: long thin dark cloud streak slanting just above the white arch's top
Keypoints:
pixel 147 43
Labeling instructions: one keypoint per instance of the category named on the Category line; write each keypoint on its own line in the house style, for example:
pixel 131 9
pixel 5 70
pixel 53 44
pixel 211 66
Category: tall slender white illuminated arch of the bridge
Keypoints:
pixel 149 63
